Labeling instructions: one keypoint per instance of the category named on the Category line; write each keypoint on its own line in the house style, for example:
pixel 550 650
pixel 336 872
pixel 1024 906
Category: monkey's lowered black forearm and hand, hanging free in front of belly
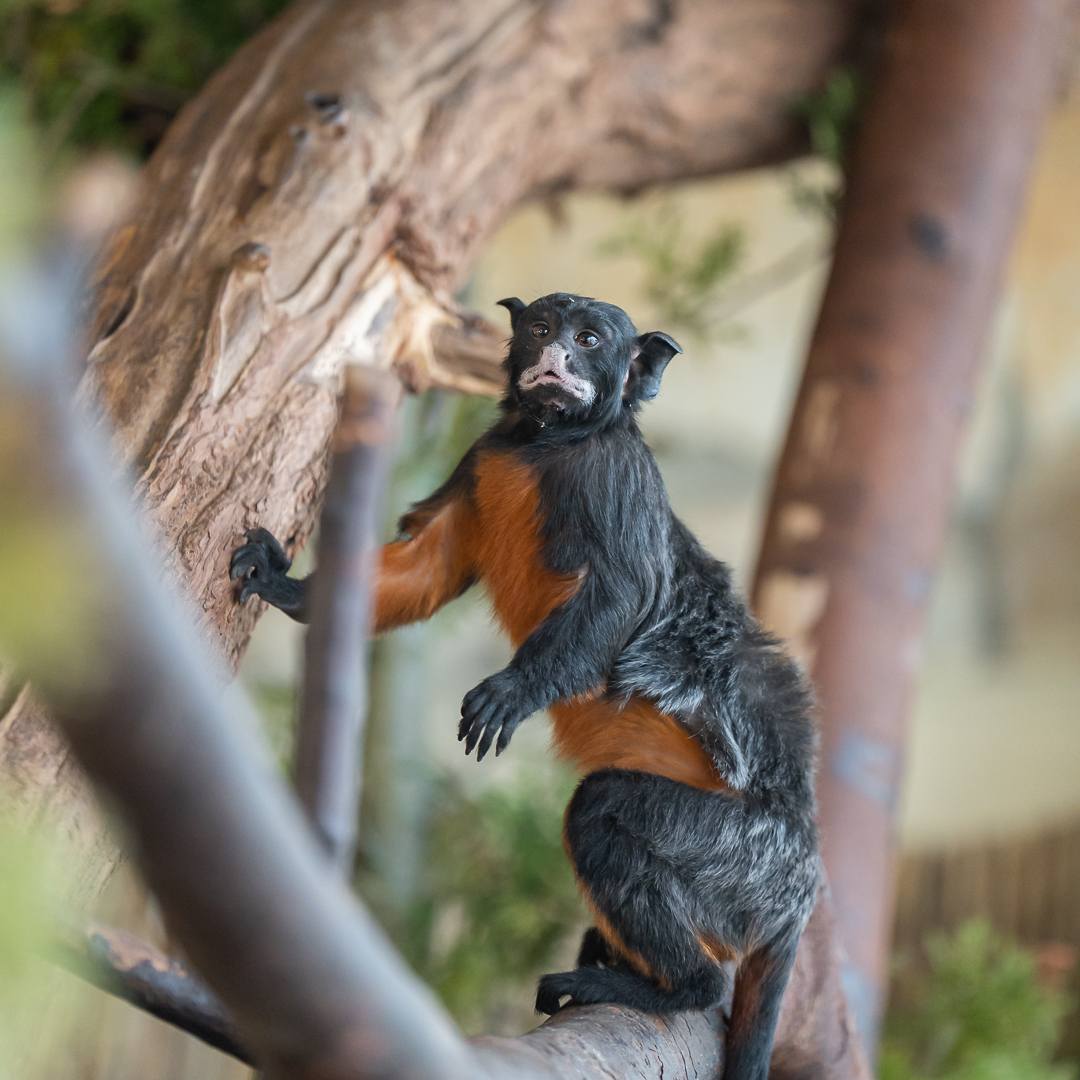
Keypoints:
pixel 570 654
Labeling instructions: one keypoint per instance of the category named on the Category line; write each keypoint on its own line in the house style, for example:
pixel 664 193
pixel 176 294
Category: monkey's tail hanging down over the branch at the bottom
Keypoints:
pixel 760 985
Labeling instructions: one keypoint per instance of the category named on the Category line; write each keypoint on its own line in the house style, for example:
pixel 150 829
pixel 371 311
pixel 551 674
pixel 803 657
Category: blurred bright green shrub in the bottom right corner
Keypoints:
pixel 978 1014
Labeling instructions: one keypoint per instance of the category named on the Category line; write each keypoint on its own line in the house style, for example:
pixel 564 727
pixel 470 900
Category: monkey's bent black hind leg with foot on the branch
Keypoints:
pixel 634 840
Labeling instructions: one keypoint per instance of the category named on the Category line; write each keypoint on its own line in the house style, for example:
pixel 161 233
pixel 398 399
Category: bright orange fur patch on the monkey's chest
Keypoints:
pixel 510 550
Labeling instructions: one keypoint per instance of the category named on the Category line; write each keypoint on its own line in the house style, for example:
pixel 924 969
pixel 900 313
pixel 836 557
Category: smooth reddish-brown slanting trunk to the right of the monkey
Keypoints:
pixel 865 488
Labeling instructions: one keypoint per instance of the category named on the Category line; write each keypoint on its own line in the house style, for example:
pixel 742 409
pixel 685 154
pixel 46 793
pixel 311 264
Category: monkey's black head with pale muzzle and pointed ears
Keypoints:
pixel 576 361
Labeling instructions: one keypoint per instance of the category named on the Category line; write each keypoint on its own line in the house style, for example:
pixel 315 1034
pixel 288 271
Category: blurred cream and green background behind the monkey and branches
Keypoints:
pixel 463 862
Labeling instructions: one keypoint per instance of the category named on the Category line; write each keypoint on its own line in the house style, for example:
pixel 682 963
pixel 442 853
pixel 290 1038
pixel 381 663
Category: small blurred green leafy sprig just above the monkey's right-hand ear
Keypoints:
pixel 682 279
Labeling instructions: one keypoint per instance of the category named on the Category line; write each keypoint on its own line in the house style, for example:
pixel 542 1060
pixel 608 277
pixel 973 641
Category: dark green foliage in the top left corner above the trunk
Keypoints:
pixel 114 73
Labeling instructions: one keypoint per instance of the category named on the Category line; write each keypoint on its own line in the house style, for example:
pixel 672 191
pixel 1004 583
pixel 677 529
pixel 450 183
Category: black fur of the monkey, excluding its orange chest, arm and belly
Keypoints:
pixel 669 866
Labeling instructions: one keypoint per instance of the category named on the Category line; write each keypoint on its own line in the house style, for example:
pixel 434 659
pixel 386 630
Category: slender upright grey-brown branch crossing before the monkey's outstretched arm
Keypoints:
pixel 330 741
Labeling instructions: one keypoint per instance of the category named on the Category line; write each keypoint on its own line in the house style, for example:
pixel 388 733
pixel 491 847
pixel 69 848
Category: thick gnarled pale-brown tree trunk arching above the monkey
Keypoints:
pixel 320 200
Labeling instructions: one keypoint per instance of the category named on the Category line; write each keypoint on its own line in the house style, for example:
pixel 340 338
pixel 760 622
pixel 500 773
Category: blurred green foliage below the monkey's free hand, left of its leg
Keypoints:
pixel 498 897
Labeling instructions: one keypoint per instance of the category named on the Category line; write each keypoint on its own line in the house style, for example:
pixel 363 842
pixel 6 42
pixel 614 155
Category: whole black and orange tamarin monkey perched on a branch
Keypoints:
pixel 693 831
